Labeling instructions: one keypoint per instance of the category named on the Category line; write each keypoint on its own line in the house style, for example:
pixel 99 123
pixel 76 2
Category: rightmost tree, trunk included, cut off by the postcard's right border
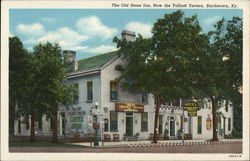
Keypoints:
pixel 220 68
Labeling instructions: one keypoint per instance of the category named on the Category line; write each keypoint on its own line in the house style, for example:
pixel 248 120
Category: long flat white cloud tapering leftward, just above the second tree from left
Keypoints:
pixel 67 38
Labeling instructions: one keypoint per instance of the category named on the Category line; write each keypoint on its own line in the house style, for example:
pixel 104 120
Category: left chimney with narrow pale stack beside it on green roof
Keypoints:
pixel 70 59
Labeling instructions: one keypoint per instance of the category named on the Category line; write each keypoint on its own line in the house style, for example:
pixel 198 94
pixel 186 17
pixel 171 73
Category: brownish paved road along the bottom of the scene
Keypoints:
pixel 220 148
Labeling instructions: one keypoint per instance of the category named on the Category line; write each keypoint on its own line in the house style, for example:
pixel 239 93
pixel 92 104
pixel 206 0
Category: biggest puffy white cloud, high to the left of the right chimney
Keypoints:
pixel 94 27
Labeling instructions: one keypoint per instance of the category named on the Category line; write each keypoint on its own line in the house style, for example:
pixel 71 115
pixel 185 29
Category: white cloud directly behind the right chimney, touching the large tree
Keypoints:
pixel 140 28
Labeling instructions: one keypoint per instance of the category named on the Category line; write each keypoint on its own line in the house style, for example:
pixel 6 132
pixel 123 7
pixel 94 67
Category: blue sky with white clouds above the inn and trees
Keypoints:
pixel 90 32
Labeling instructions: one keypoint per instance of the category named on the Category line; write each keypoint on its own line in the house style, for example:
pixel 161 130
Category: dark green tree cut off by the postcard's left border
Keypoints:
pixel 19 68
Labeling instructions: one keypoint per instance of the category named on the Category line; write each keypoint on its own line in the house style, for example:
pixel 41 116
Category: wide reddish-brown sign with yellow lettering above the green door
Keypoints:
pixel 129 107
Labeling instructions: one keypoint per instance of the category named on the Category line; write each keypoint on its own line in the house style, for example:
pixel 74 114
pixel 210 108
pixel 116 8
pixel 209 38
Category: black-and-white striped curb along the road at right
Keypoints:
pixel 185 143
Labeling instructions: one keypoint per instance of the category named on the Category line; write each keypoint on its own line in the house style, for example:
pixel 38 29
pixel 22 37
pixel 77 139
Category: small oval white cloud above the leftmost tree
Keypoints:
pixel 31 30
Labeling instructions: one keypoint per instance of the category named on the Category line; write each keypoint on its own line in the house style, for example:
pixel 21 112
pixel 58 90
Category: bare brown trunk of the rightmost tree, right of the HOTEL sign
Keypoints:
pixel 214 110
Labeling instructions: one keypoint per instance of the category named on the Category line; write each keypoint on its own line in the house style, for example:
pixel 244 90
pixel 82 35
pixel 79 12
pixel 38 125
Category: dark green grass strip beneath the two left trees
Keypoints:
pixel 42 144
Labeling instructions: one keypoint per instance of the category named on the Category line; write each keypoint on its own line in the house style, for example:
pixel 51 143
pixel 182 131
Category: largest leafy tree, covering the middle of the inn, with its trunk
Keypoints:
pixel 161 65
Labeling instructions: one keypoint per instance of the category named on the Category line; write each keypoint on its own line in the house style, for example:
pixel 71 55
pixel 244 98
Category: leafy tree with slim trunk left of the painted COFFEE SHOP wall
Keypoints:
pixel 48 83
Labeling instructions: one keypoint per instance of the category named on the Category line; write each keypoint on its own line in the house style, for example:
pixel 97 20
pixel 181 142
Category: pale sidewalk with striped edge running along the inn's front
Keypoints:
pixel 160 143
